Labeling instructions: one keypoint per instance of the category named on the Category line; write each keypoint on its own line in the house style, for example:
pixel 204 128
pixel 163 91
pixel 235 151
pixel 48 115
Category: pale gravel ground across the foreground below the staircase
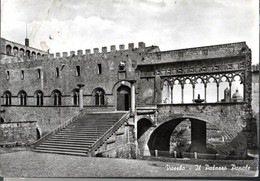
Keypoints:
pixel 32 164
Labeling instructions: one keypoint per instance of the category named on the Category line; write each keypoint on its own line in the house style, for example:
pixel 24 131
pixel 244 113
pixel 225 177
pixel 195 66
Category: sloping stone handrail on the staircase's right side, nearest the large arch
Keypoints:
pixel 107 134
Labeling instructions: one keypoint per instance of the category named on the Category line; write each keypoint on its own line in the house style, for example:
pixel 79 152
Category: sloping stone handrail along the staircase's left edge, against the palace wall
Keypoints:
pixel 54 131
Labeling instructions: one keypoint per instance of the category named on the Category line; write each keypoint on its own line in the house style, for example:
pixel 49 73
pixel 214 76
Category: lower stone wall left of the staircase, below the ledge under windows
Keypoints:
pixel 44 119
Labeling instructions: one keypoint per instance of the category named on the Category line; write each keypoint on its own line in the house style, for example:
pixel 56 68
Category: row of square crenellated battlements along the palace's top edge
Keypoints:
pixel 121 47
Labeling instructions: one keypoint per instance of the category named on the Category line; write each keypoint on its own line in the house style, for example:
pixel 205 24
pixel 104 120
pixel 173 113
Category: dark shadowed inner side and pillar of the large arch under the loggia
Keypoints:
pixel 161 137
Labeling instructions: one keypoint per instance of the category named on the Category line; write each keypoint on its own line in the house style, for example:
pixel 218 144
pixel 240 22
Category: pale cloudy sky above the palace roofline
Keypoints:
pixel 170 24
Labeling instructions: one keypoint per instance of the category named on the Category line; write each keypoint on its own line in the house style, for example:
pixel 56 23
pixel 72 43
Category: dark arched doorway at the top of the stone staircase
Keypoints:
pixel 123 98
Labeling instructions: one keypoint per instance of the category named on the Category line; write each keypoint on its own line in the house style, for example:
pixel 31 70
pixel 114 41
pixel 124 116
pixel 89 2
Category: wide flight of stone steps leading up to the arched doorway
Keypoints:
pixel 81 136
